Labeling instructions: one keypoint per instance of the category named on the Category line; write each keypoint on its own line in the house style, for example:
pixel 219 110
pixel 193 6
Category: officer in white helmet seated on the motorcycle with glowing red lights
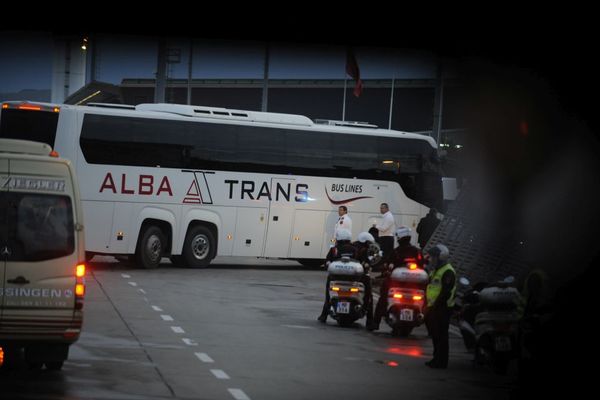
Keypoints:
pixel 403 253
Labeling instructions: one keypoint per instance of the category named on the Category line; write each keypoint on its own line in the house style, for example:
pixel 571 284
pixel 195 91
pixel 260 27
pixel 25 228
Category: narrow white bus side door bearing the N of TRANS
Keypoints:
pixel 281 214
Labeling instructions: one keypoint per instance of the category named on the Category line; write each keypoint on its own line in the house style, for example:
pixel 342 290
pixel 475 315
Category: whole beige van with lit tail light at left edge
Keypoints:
pixel 41 254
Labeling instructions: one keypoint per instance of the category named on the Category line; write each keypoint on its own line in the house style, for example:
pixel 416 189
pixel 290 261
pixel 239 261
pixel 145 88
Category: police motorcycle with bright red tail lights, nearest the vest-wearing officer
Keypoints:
pixel 406 297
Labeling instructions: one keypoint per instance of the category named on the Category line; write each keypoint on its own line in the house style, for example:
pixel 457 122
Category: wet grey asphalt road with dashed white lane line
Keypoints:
pixel 240 329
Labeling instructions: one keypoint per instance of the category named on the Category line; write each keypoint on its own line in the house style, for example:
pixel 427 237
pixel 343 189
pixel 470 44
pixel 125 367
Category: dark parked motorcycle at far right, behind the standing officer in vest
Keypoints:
pixel 489 321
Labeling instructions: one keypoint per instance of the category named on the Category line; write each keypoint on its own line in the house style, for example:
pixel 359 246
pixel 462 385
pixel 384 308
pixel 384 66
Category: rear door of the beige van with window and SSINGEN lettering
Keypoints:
pixel 39 276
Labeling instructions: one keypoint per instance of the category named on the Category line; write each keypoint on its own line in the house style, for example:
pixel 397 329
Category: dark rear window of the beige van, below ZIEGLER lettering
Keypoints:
pixel 36 227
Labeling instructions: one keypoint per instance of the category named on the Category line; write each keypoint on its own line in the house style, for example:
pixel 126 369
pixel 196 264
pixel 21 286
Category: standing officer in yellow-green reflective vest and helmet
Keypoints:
pixel 440 300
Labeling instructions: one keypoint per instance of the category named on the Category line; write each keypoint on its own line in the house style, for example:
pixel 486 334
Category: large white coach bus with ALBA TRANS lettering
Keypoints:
pixel 192 183
